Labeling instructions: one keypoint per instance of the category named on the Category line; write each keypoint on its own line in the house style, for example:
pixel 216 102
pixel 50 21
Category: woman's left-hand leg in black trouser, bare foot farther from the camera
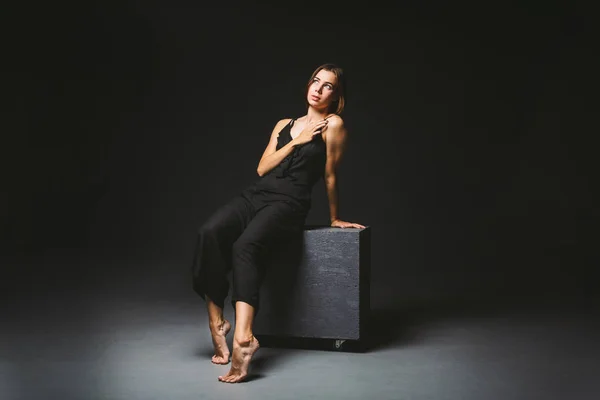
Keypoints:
pixel 212 262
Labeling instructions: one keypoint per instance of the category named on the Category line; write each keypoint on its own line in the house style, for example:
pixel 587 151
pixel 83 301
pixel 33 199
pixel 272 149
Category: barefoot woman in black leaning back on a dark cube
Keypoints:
pixel 236 237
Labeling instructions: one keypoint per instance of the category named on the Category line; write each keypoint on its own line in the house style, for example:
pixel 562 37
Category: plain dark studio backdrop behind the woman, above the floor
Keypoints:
pixel 469 128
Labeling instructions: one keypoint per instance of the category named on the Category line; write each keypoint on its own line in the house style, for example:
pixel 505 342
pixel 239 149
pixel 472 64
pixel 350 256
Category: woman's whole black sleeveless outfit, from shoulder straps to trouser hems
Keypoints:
pixel 239 234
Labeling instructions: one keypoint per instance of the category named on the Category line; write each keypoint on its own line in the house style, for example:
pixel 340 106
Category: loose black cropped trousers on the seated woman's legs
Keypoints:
pixel 238 237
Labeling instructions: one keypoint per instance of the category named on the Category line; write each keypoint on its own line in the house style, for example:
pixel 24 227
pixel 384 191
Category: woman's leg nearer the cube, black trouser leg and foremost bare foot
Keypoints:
pixel 271 224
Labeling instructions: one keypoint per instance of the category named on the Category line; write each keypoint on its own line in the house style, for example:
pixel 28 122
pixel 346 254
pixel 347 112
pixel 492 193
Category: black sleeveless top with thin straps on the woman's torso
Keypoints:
pixel 293 179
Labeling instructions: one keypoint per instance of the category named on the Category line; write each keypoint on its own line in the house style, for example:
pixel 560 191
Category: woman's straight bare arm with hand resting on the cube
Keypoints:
pixel 335 140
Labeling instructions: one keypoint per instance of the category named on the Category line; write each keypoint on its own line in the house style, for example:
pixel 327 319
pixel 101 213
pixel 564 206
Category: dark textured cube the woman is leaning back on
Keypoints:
pixel 317 286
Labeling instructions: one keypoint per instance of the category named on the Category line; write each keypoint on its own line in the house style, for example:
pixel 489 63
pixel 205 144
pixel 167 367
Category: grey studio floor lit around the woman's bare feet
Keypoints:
pixel 109 339
